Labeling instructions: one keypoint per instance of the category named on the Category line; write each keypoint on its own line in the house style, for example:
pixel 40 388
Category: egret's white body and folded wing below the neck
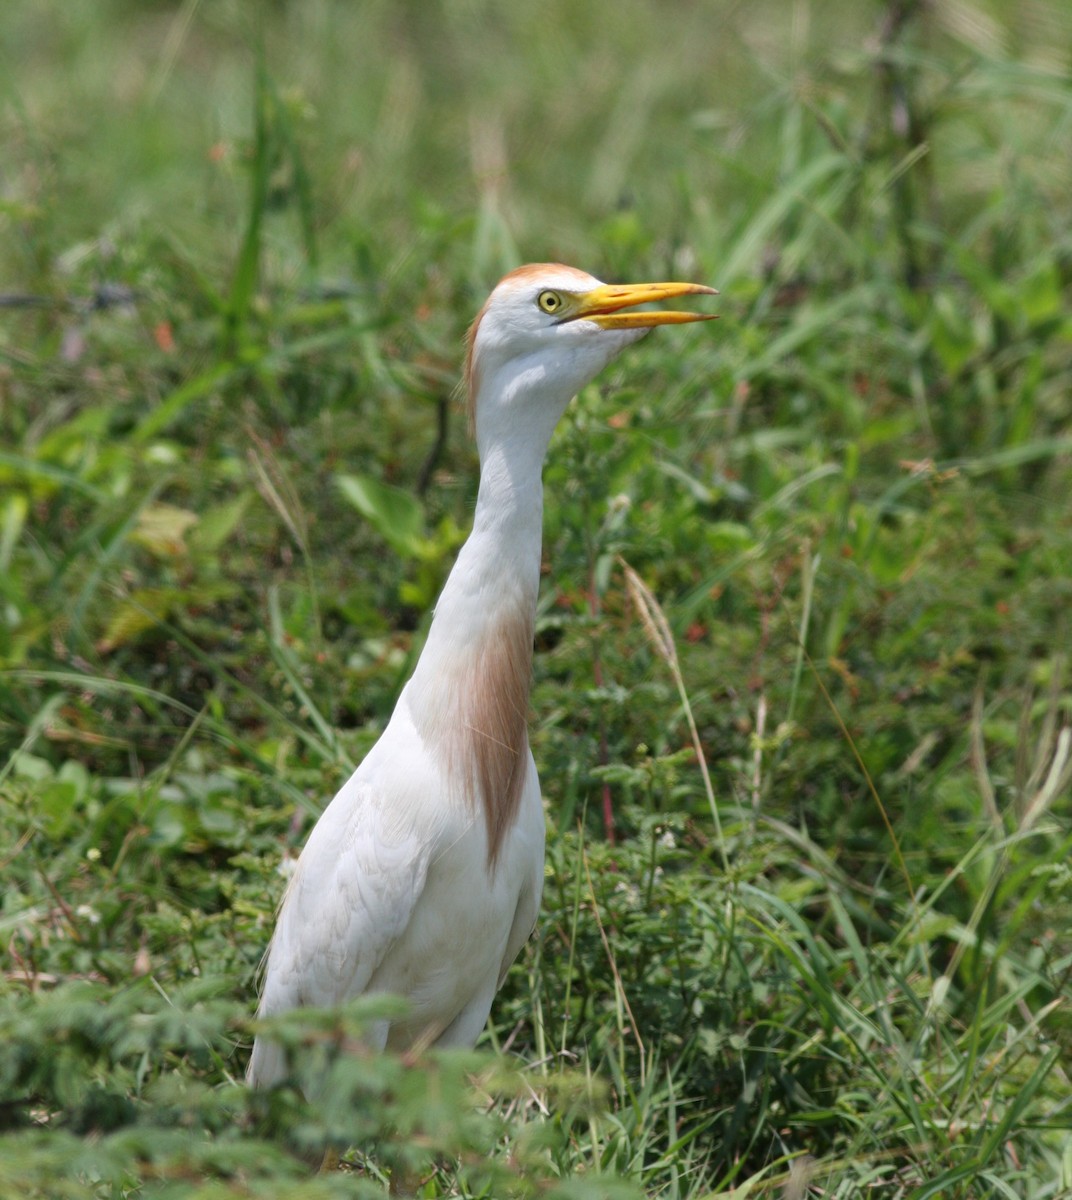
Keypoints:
pixel 393 893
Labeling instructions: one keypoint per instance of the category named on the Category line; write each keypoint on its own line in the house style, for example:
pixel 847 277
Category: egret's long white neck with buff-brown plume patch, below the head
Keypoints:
pixel 470 692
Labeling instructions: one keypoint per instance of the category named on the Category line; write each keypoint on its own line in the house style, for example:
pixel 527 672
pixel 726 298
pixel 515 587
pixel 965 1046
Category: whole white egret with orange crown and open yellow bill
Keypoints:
pixel 423 877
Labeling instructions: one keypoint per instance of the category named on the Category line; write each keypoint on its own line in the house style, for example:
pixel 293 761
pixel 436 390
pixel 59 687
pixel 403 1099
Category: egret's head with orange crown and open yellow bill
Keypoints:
pixel 544 333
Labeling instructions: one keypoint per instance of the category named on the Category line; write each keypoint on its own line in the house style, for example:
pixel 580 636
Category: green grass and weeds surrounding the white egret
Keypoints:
pixel 239 245
